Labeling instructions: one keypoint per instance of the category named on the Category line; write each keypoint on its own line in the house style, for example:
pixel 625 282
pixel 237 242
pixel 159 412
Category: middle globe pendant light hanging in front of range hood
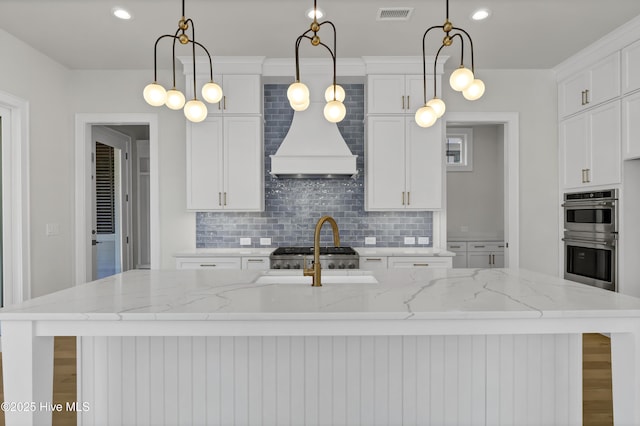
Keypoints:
pixel 298 92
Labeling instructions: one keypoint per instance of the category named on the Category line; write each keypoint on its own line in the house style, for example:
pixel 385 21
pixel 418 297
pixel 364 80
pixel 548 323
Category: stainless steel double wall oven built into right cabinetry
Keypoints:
pixel 590 238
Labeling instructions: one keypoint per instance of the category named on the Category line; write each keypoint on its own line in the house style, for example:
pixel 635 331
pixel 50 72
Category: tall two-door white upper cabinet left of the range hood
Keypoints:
pixel 225 164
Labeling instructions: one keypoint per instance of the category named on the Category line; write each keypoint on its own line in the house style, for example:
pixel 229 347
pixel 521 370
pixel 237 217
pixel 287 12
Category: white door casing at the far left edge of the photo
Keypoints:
pixel 16 257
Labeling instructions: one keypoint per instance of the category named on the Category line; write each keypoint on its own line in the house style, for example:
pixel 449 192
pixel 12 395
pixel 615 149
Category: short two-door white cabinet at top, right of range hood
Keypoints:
pixel 396 94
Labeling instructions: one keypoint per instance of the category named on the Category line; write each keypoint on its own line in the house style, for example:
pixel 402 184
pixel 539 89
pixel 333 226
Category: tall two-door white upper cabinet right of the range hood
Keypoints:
pixel 404 164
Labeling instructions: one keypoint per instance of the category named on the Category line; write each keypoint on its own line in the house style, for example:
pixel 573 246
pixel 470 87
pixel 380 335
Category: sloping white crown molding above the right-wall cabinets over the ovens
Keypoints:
pixel 616 40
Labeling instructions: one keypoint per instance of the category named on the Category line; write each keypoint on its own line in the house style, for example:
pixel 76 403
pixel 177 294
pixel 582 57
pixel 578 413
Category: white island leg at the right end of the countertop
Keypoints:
pixel 625 374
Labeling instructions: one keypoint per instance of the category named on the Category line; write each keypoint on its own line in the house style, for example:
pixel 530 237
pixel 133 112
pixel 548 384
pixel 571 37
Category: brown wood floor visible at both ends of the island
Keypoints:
pixel 597 402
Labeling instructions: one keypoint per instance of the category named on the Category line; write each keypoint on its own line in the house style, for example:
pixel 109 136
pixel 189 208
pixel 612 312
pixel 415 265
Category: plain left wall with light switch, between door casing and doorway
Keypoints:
pixel 45 85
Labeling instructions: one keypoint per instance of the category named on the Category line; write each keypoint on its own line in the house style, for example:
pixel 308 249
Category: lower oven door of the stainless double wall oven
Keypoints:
pixel 591 262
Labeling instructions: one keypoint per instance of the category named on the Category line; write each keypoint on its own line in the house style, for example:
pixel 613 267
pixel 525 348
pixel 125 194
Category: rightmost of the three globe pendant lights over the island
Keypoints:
pixel 461 80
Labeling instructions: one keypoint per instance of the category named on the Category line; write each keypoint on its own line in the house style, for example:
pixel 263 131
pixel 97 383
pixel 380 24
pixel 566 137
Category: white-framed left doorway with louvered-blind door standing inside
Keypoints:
pixel 112 243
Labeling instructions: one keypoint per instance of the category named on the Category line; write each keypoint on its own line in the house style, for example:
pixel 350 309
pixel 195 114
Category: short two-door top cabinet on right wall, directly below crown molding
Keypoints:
pixel 595 85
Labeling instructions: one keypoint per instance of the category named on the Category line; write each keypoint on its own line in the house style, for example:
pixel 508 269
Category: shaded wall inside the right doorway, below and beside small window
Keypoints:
pixel 475 199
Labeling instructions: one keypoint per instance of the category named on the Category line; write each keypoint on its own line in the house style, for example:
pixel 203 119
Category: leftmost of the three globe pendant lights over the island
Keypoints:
pixel 195 110
